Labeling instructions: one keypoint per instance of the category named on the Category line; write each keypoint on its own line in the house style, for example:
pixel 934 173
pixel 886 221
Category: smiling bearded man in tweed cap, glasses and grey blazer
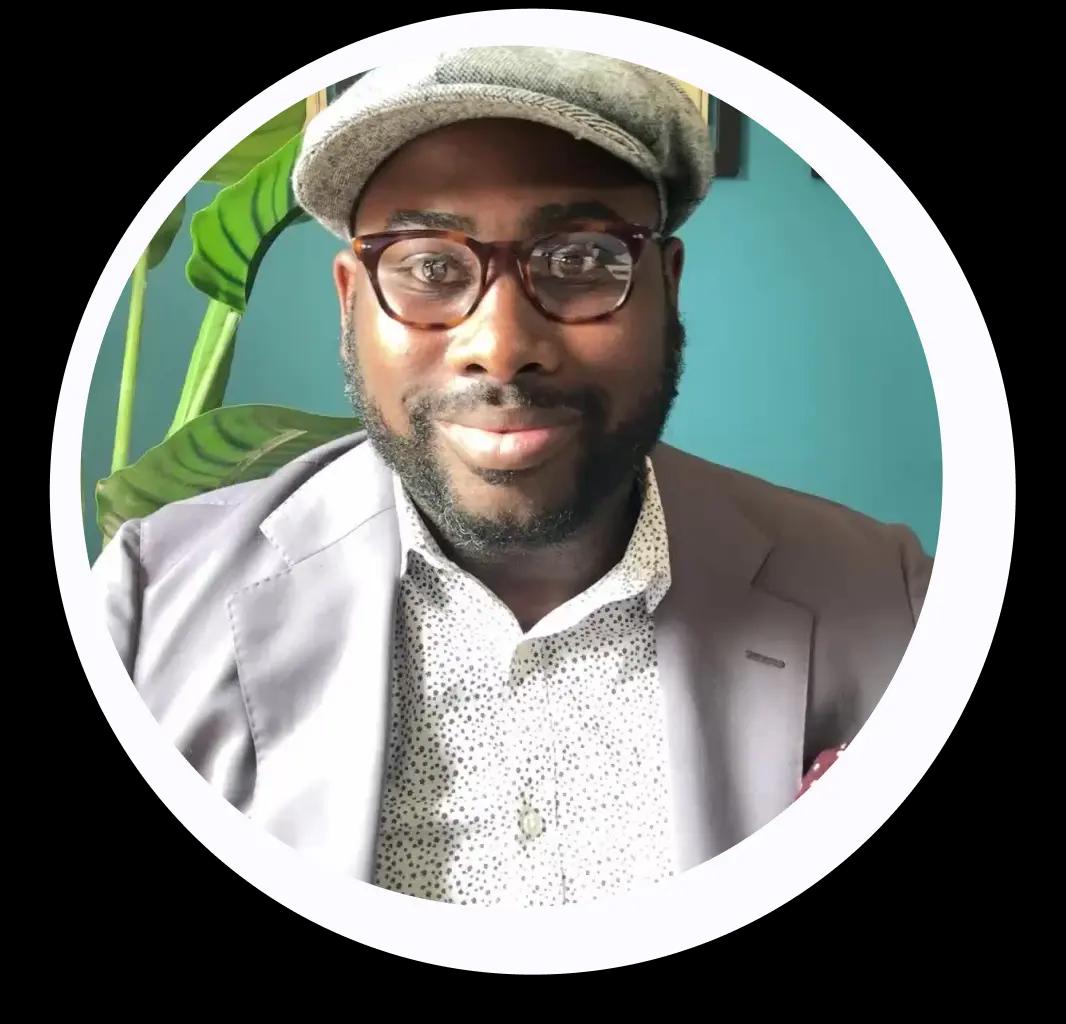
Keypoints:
pixel 505 648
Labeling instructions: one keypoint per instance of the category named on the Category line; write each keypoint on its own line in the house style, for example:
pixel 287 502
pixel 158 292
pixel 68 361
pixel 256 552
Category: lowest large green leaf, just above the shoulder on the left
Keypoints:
pixel 223 447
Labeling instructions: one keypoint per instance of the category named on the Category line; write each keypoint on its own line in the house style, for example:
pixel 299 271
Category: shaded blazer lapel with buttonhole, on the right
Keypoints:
pixel 734 669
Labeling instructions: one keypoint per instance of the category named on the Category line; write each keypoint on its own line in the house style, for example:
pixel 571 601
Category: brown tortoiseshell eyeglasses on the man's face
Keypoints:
pixel 434 281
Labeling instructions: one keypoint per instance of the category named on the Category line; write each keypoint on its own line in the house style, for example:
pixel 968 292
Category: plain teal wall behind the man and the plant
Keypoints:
pixel 803 365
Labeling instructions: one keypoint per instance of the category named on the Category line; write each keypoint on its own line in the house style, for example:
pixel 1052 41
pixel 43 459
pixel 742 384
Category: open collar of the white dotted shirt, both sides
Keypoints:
pixel 644 568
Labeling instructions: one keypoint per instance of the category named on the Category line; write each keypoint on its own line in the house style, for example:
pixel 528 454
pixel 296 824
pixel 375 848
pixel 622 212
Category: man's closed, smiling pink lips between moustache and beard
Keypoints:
pixel 509 443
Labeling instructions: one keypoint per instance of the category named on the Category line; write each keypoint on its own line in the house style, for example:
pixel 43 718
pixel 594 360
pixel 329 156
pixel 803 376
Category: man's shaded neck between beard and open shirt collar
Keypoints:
pixel 537 581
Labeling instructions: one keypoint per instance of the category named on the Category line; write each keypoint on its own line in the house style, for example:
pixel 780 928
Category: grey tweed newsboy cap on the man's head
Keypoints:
pixel 639 116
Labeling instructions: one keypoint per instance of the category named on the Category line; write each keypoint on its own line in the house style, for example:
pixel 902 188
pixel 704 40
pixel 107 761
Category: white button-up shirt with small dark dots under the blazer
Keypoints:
pixel 526 770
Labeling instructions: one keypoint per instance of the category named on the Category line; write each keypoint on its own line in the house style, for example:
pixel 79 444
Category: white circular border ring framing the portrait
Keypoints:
pixel 909 727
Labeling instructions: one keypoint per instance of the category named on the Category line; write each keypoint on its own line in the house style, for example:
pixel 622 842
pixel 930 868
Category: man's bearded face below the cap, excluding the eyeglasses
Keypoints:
pixel 511 429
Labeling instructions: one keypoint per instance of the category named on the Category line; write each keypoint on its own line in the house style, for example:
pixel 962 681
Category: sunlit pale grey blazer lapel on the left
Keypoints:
pixel 313 649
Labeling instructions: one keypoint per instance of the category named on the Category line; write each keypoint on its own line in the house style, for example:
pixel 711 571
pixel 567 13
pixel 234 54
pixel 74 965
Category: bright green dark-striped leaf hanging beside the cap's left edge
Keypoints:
pixel 233 235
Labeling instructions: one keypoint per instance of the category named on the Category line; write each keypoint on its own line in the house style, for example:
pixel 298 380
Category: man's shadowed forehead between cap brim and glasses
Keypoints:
pixel 504 173
